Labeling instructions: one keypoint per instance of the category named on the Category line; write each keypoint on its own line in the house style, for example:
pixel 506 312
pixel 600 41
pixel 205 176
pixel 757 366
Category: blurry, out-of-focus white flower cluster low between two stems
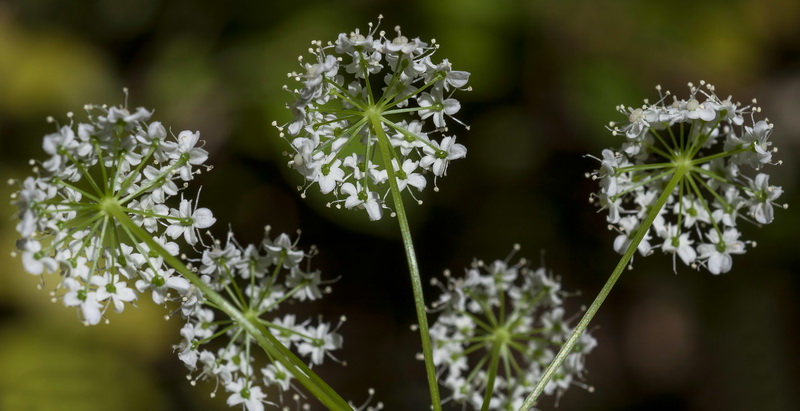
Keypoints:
pixel 499 327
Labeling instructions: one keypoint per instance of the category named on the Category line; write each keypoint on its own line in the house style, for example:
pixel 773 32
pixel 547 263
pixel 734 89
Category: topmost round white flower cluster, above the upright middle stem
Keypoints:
pixel 333 133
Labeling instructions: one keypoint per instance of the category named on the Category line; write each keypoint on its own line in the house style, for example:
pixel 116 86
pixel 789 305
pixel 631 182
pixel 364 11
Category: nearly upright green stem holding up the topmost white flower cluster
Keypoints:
pixel 413 269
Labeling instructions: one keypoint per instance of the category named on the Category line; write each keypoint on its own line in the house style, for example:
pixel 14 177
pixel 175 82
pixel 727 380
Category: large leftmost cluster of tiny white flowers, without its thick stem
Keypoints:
pixel 115 162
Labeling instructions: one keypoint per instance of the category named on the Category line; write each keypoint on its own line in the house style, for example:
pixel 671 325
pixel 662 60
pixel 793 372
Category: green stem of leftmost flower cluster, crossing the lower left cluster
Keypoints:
pixel 260 334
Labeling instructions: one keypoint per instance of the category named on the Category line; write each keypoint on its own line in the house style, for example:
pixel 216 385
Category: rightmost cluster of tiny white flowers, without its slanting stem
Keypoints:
pixel 713 142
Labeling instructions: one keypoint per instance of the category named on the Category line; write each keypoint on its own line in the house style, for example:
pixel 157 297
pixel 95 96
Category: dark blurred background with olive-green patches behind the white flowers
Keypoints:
pixel 546 77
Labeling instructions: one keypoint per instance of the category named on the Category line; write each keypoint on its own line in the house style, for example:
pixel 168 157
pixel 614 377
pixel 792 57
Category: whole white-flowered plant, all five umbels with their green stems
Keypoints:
pixel 106 211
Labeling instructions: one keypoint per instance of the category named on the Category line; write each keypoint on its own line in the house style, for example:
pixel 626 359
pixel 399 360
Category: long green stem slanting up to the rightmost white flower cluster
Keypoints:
pixel 566 349
